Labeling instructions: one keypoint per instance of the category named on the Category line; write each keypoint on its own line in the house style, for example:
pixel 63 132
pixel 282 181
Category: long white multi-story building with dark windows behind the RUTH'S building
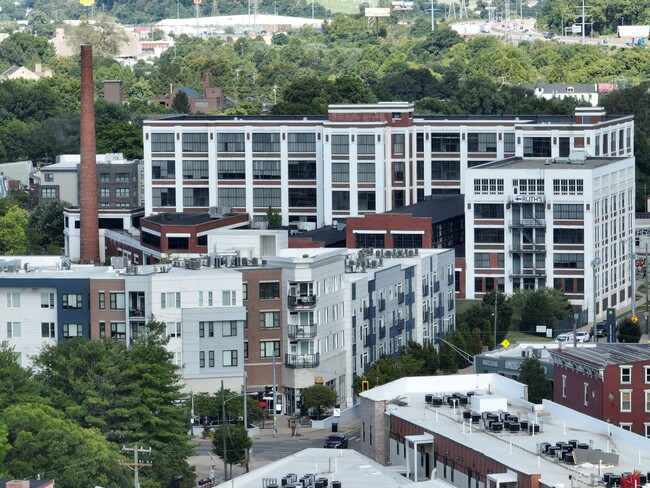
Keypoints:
pixel 359 159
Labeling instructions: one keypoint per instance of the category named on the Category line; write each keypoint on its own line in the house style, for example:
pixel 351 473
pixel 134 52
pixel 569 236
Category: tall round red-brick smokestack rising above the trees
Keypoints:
pixel 88 168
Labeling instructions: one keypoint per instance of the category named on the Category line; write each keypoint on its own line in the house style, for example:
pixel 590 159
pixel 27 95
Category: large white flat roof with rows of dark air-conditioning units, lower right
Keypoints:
pixel 405 398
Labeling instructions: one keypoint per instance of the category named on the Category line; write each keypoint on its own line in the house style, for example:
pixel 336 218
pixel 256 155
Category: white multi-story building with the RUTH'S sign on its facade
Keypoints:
pixel 565 223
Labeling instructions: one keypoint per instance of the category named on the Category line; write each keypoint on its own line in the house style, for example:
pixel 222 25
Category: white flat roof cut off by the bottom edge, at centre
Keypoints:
pixel 348 466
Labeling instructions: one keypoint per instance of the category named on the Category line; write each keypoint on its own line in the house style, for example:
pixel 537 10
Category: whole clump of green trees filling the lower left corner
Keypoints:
pixel 68 418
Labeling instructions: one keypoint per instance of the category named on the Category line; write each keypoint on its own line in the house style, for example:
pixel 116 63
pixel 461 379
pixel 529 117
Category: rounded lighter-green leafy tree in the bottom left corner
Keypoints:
pixel 43 441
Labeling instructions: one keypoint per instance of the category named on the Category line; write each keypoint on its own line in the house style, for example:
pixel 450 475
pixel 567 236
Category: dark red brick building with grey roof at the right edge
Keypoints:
pixel 610 382
